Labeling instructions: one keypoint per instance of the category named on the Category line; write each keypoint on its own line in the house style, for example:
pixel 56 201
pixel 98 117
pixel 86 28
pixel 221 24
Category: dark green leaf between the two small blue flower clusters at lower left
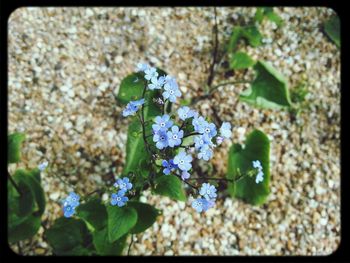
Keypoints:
pixel 93 212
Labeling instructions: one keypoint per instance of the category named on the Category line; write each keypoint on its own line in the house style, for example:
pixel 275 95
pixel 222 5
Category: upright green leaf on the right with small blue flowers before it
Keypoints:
pixel 257 147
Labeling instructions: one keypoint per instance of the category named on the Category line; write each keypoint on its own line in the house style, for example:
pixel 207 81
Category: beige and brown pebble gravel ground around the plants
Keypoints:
pixel 66 64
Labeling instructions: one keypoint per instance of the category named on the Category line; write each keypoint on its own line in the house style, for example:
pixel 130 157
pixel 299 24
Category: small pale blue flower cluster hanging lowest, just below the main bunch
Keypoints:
pixel 207 198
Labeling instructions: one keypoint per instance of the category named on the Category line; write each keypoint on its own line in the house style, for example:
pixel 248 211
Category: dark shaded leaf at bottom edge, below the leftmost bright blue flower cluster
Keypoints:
pixel 68 236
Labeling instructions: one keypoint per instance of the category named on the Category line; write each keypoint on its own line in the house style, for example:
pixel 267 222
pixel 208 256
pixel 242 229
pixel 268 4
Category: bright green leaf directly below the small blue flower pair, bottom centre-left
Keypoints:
pixel 120 221
